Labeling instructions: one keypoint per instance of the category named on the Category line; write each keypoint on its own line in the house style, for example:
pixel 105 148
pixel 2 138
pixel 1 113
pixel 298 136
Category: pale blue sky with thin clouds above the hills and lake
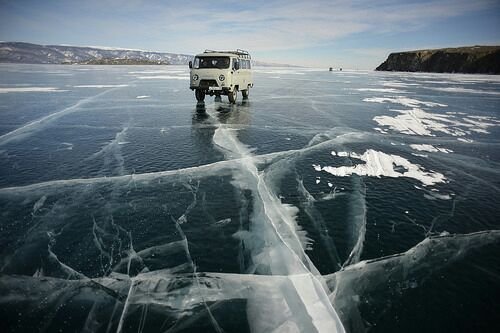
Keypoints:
pixel 354 34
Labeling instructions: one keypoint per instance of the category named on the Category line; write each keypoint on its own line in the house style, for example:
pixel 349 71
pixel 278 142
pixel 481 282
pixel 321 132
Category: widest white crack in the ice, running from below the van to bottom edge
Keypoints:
pixel 275 244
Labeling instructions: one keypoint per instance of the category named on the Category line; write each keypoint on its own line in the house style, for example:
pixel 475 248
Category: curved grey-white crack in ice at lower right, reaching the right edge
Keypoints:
pixel 356 284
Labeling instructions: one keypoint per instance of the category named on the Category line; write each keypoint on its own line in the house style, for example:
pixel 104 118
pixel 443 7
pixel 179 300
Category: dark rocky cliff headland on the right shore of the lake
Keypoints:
pixel 474 59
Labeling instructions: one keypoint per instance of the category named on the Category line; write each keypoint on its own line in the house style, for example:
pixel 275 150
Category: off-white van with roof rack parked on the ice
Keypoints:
pixel 217 73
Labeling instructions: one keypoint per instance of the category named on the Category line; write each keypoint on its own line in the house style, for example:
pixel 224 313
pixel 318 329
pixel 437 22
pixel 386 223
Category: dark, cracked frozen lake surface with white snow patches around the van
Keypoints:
pixel 328 201
